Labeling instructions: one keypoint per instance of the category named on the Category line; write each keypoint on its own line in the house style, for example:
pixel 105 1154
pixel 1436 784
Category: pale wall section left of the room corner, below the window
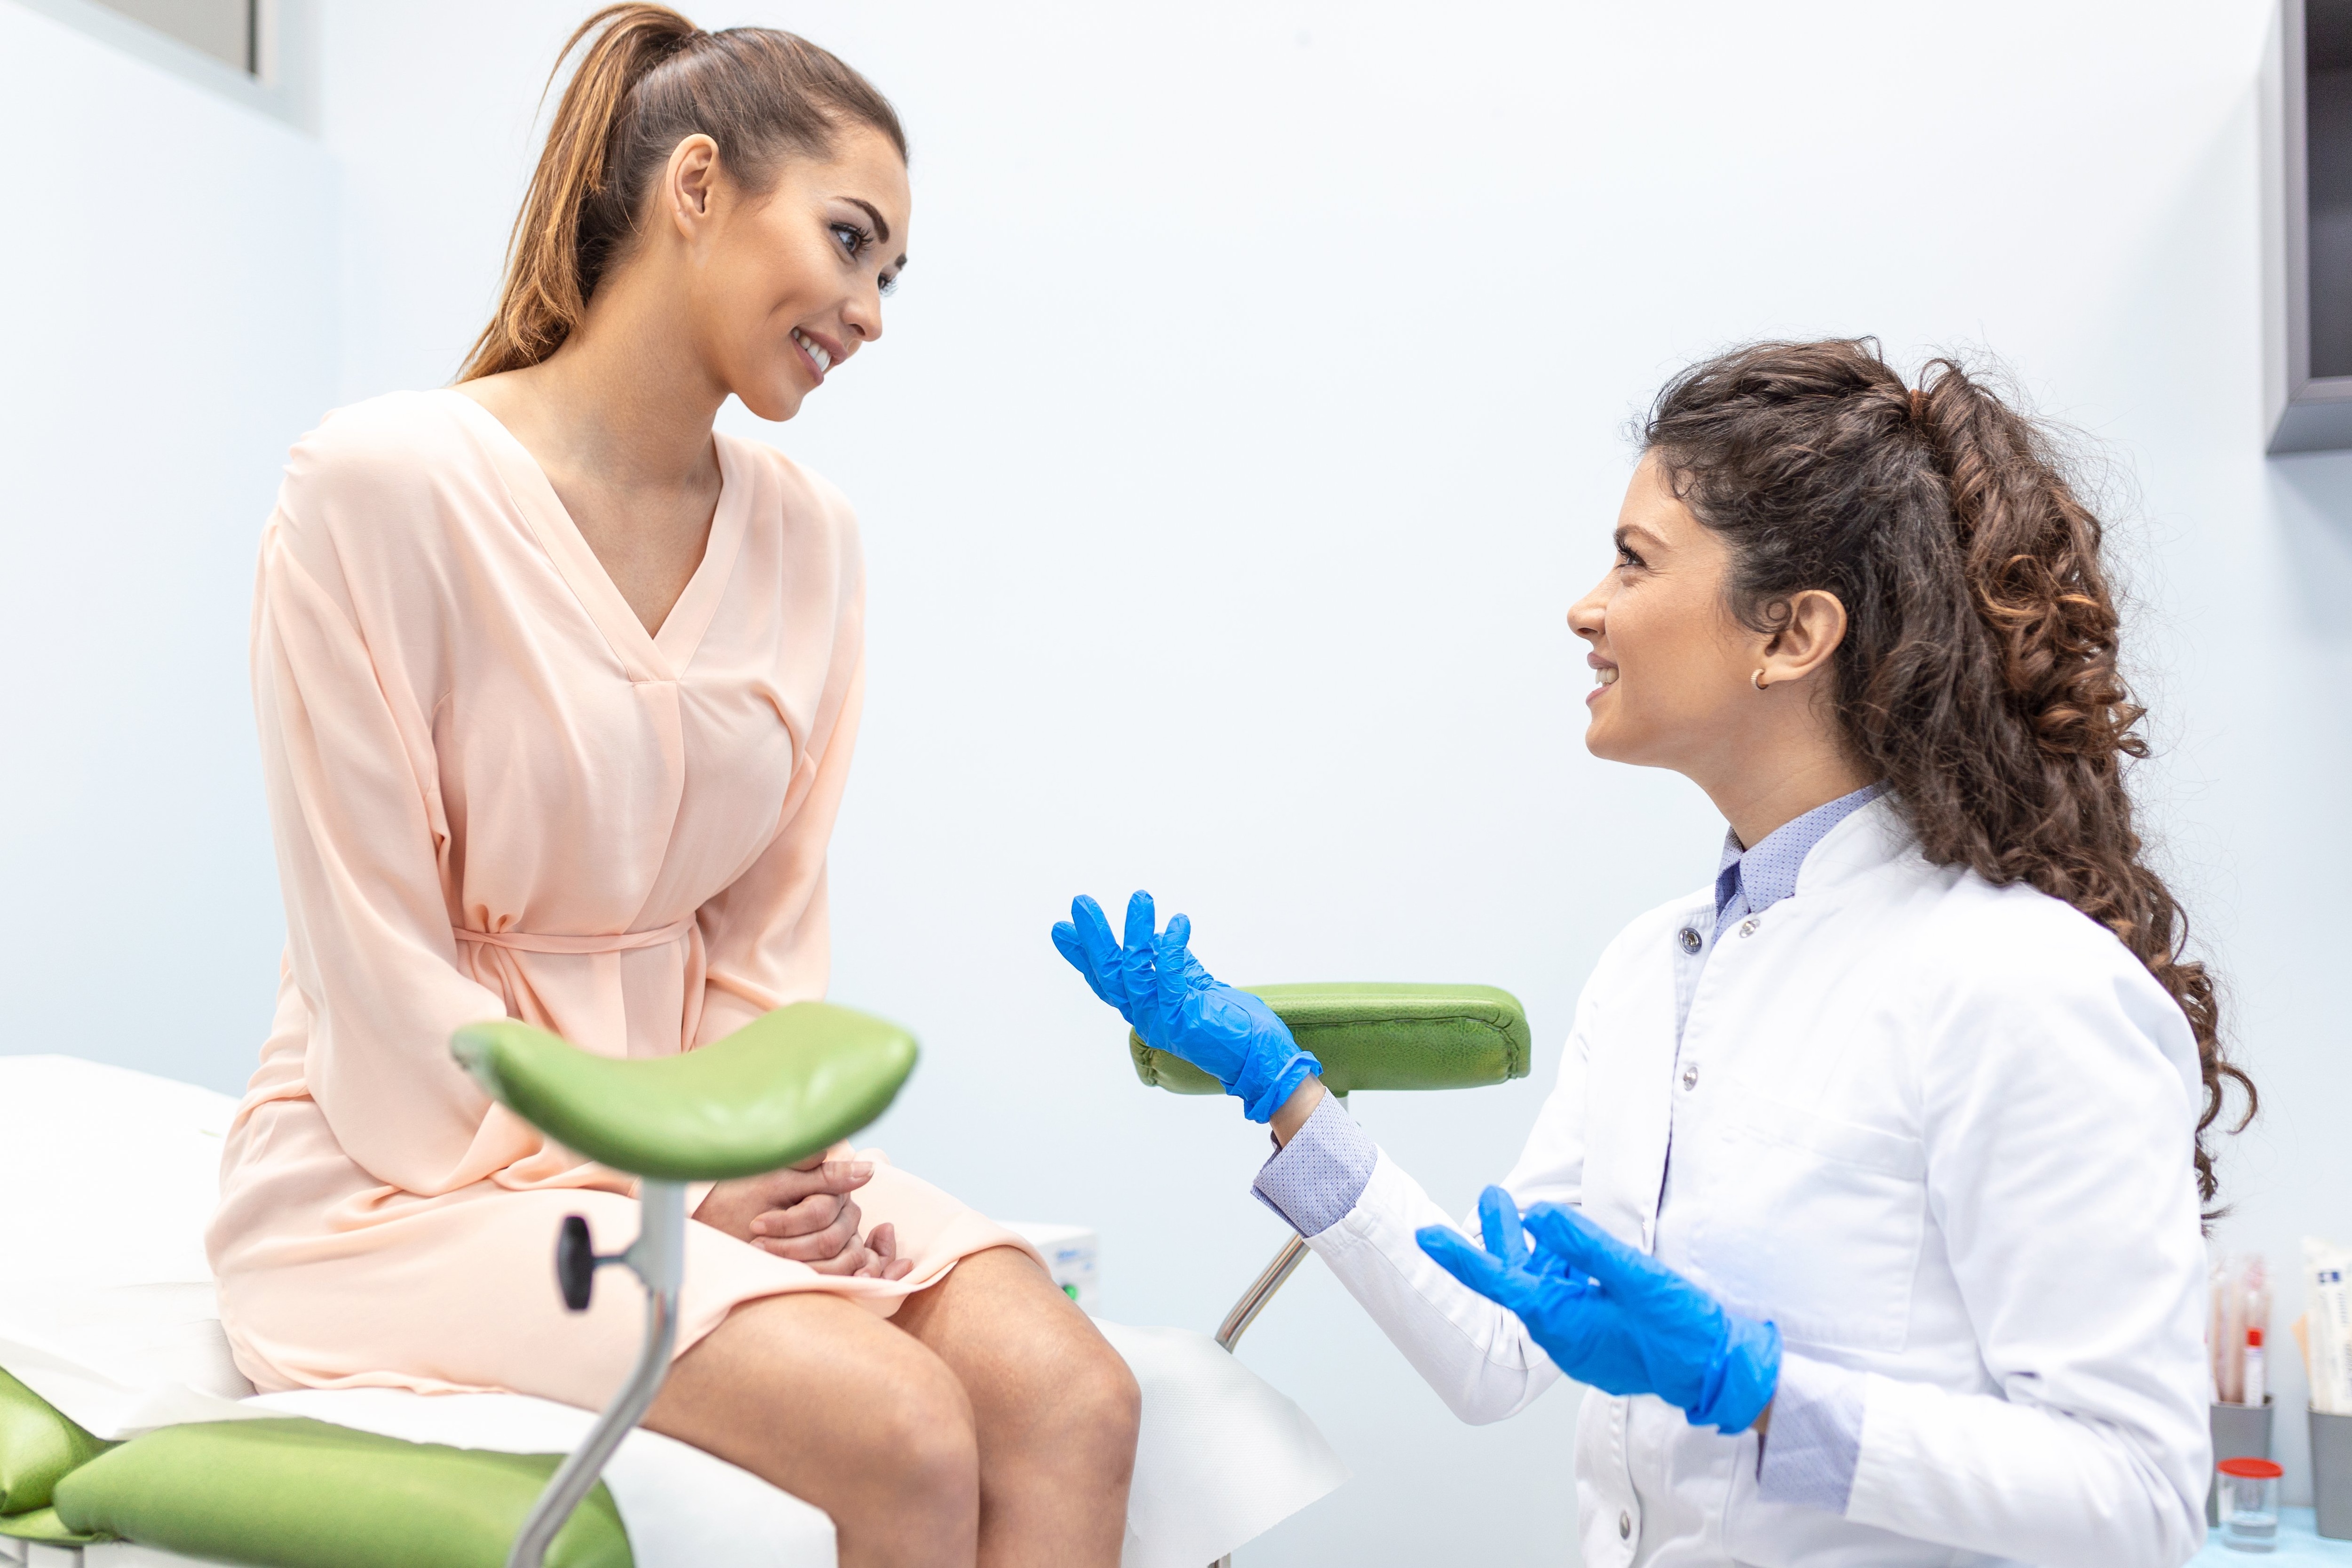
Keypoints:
pixel 168 302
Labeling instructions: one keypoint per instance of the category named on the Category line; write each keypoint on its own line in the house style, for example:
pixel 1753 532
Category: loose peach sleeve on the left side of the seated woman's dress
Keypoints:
pixel 349 768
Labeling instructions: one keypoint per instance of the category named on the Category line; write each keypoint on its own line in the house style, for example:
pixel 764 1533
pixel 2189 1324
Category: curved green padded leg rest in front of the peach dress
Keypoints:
pixel 770 1094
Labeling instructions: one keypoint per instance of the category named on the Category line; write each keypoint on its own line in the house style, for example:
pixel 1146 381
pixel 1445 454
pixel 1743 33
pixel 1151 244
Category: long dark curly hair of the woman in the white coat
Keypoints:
pixel 1979 671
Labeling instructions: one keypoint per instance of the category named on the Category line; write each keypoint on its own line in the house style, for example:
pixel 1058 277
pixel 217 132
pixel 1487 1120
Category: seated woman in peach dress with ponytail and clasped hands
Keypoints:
pixel 559 692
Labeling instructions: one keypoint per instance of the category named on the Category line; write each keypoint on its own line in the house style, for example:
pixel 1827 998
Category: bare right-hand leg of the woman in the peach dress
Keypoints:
pixel 1053 1405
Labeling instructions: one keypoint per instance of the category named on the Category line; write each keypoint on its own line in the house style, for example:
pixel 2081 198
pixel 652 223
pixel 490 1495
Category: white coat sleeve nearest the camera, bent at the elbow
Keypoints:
pixel 2071 1221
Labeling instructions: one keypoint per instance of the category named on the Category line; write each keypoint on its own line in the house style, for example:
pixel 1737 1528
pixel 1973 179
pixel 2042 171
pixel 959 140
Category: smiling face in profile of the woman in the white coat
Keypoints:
pixel 1669 659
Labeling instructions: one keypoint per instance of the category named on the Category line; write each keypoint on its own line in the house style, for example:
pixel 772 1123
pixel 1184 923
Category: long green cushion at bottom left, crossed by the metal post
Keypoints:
pixel 300 1494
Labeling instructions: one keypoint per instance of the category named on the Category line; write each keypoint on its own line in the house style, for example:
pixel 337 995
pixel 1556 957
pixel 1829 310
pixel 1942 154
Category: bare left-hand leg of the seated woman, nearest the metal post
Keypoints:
pixel 838 1409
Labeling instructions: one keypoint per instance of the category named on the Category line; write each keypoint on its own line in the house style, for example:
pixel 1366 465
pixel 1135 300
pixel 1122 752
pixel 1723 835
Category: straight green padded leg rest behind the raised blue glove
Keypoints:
pixel 1379 1038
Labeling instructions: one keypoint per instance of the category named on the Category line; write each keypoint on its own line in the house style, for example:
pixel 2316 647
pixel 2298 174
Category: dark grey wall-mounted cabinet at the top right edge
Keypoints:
pixel 2311 396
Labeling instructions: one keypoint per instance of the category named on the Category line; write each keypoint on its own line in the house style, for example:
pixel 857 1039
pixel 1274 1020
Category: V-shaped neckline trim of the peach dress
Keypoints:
pixel 646 655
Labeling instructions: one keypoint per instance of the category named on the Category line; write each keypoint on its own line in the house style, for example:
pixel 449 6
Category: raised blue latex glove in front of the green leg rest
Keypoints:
pixel 1180 1007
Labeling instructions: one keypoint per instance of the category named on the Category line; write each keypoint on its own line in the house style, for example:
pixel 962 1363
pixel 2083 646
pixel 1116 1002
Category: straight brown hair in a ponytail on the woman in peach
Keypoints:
pixel 648 81
